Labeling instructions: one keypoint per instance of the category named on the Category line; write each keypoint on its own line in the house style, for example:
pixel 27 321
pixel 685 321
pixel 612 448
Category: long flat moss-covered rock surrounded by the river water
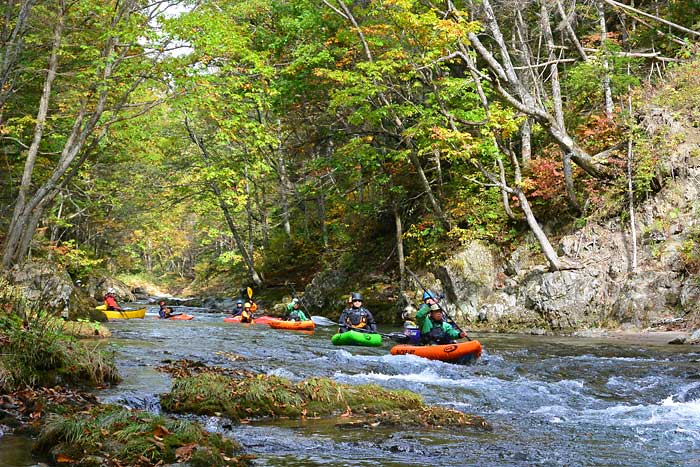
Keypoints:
pixel 240 396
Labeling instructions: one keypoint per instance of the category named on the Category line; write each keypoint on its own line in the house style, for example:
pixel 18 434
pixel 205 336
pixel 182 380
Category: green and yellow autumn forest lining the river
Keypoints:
pixel 204 145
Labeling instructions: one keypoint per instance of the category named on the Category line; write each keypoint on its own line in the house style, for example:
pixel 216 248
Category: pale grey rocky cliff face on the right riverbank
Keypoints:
pixel 602 290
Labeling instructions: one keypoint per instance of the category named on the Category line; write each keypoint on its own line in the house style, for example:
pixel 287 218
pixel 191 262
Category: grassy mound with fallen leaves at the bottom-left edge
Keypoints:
pixel 114 435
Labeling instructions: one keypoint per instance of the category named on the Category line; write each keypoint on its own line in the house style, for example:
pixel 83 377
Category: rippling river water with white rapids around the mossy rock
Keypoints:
pixel 551 401
